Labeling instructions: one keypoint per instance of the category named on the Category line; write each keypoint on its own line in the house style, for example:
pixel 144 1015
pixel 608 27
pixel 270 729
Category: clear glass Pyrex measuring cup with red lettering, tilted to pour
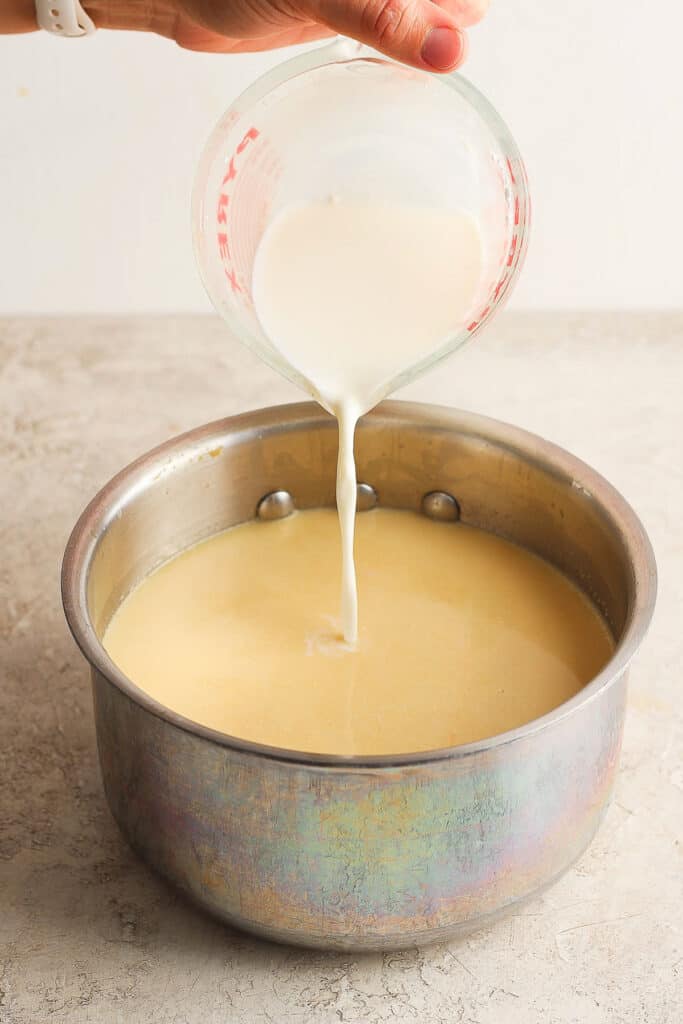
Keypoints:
pixel 340 122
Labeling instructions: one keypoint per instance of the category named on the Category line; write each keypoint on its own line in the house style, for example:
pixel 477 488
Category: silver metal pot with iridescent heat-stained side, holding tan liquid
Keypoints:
pixel 366 852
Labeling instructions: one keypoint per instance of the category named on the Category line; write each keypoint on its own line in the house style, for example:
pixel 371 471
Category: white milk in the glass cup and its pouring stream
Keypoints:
pixel 353 295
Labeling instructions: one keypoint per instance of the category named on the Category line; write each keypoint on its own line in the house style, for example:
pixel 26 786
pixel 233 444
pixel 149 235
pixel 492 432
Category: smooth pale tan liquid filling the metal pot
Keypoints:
pixel 463 635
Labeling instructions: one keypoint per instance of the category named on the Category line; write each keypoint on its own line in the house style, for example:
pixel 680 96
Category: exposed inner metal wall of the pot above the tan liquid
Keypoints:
pixel 505 481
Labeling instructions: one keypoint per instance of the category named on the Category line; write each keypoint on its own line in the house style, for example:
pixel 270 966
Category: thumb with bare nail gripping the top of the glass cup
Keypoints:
pixel 415 32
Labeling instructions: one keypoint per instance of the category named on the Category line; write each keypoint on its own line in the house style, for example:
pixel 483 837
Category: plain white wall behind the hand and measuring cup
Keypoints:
pixel 100 139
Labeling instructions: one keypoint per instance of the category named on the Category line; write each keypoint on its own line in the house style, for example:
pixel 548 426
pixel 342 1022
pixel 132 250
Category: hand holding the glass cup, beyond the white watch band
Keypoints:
pixel 420 33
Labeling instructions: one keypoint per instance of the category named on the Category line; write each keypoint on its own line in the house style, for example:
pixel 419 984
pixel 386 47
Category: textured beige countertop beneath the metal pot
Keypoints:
pixel 88 933
